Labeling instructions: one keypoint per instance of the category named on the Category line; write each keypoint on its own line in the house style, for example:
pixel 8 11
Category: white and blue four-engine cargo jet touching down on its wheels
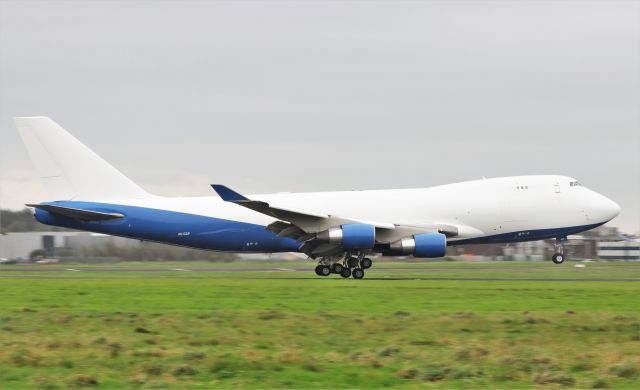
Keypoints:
pixel 338 229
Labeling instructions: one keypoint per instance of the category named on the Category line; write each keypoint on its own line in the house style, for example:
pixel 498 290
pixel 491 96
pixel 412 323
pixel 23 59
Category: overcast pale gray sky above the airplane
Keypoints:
pixel 299 96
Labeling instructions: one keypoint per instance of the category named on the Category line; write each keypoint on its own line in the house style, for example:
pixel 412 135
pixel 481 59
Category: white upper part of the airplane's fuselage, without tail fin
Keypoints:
pixel 479 208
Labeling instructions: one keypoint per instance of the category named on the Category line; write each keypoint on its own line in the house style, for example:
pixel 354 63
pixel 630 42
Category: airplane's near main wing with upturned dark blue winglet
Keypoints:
pixel 303 226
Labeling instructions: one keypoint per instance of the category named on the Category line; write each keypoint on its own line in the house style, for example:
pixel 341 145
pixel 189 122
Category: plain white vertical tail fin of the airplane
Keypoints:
pixel 68 169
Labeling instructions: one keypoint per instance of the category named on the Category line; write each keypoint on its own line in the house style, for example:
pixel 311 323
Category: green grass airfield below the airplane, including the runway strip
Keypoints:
pixel 281 328
